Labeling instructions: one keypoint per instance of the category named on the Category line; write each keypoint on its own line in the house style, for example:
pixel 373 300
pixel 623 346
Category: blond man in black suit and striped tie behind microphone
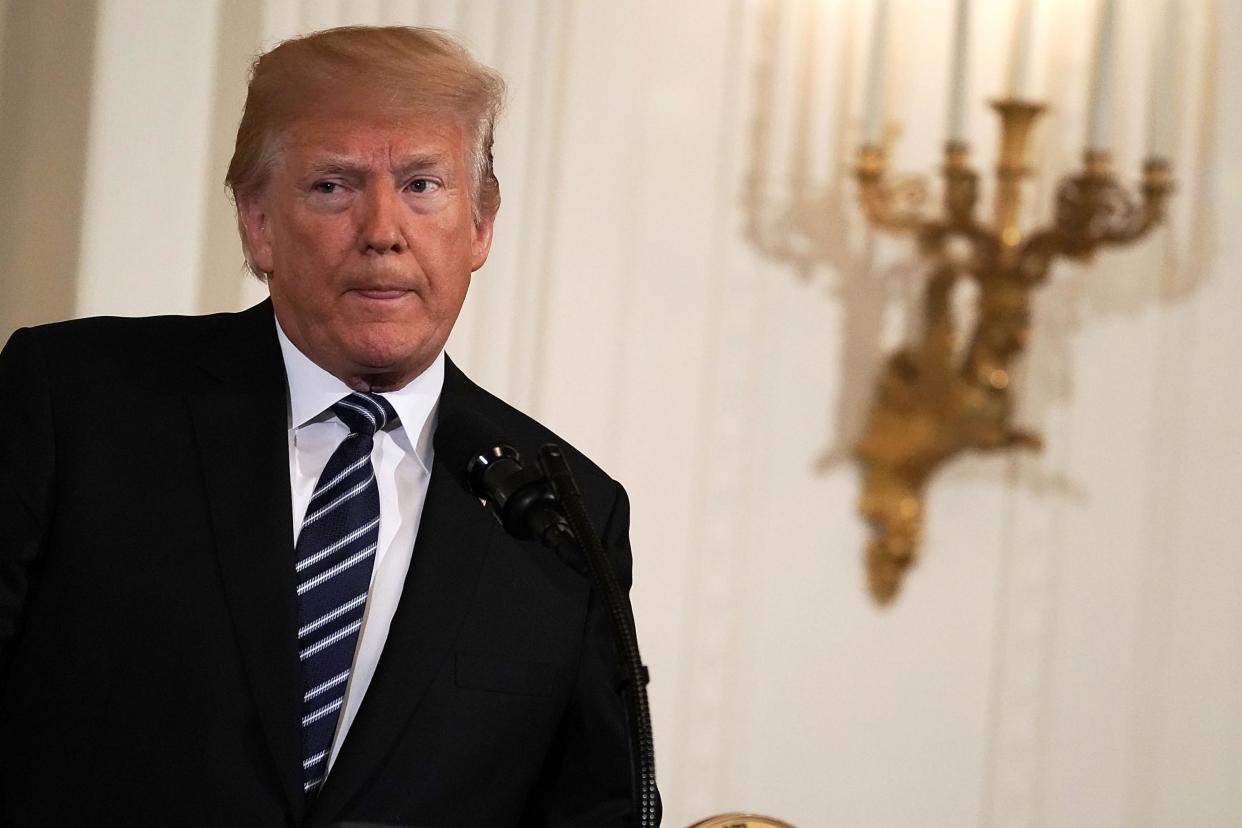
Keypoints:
pixel 162 486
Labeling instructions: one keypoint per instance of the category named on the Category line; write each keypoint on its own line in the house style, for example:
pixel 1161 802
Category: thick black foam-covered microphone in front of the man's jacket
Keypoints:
pixel 490 469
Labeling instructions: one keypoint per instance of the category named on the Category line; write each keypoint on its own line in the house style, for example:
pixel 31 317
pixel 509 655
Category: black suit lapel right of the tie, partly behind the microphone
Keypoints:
pixel 455 536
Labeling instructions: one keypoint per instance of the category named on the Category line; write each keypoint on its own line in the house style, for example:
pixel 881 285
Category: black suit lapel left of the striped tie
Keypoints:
pixel 240 421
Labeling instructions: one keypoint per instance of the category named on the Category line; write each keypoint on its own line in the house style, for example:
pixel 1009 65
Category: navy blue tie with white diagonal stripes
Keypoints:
pixel 336 553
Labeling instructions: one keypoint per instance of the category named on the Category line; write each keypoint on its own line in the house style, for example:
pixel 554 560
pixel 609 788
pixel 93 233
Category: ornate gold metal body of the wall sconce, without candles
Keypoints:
pixel 951 390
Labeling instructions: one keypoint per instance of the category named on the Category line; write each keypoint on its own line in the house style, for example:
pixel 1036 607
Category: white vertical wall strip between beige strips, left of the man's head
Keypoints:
pixel 147 157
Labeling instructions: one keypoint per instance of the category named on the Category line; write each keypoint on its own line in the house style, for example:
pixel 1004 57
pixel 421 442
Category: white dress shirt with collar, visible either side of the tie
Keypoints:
pixel 403 470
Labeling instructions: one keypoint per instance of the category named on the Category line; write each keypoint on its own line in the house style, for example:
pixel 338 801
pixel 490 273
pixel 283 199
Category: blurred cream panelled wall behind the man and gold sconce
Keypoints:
pixel 680 209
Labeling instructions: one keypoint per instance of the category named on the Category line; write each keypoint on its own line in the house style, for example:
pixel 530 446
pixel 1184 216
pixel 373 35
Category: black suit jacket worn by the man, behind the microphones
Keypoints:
pixel 148 623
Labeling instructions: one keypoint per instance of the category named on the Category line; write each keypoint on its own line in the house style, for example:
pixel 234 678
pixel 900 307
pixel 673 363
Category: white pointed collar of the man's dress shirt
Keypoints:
pixel 312 392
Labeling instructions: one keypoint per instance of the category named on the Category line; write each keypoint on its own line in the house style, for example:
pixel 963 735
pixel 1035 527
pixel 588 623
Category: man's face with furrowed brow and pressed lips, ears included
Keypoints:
pixel 368 238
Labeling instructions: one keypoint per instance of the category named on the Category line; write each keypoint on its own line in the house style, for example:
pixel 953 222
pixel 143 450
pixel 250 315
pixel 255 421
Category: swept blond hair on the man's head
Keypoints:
pixel 392 71
